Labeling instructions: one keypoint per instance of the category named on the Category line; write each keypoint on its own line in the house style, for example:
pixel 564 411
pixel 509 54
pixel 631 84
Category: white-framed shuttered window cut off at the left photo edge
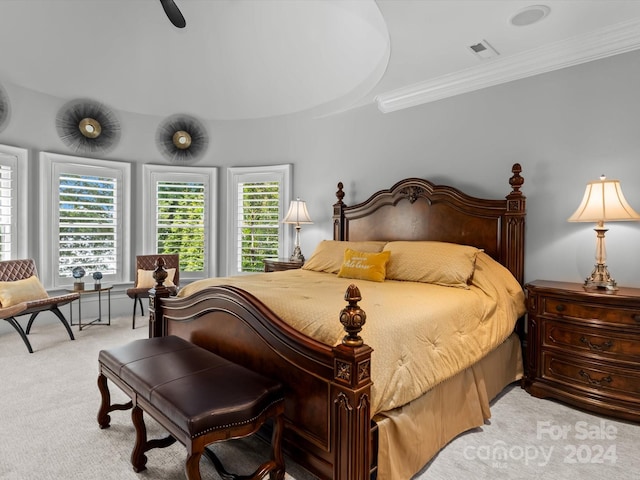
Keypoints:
pixel 13 203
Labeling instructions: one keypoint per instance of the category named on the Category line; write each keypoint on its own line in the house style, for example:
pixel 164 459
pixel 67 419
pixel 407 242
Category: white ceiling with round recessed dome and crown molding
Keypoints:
pixel 246 59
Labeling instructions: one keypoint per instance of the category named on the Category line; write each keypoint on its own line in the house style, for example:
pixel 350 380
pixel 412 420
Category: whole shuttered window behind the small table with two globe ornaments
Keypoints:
pixel 85 212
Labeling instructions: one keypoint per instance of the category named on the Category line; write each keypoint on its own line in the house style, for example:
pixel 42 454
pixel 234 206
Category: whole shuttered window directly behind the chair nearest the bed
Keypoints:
pixel 181 202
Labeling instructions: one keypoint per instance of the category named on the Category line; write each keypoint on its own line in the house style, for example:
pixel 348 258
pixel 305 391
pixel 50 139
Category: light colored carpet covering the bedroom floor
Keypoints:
pixel 48 429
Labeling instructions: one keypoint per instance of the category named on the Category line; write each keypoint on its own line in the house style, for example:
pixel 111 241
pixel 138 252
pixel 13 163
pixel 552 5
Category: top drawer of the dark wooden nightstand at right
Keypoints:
pixel 612 315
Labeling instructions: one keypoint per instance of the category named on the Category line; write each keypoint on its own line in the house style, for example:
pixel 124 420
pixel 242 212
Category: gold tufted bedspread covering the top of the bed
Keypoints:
pixel 422 334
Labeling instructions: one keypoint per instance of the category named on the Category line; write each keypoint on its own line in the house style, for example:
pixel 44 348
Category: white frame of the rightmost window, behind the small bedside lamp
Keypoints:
pixel 238 175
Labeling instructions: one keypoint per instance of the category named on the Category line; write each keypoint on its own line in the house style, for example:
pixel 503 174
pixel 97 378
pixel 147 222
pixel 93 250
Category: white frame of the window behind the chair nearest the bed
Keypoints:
pixel 152 174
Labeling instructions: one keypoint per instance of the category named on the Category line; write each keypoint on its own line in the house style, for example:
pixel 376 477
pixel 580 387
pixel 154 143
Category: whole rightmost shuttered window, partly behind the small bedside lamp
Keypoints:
pixel 257 198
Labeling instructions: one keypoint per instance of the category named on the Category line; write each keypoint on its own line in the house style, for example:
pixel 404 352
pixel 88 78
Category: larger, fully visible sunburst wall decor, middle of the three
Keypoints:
pixel 87 126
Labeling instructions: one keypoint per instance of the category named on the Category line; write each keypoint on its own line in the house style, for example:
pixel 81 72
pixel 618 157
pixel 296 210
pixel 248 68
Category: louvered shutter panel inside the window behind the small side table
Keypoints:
pixel 88 223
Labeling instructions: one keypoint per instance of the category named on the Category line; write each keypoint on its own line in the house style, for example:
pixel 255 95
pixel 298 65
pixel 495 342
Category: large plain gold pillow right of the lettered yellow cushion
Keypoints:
pixel 441 263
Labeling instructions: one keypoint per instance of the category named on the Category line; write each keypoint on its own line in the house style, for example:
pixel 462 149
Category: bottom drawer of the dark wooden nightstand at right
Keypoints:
pixel 617 381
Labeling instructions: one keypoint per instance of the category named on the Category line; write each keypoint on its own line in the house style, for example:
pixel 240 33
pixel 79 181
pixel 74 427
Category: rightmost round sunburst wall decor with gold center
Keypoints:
pixel 182 139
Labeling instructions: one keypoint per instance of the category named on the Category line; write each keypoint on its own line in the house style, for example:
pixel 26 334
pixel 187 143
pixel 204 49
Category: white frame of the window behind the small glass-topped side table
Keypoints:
pixel 51 166
